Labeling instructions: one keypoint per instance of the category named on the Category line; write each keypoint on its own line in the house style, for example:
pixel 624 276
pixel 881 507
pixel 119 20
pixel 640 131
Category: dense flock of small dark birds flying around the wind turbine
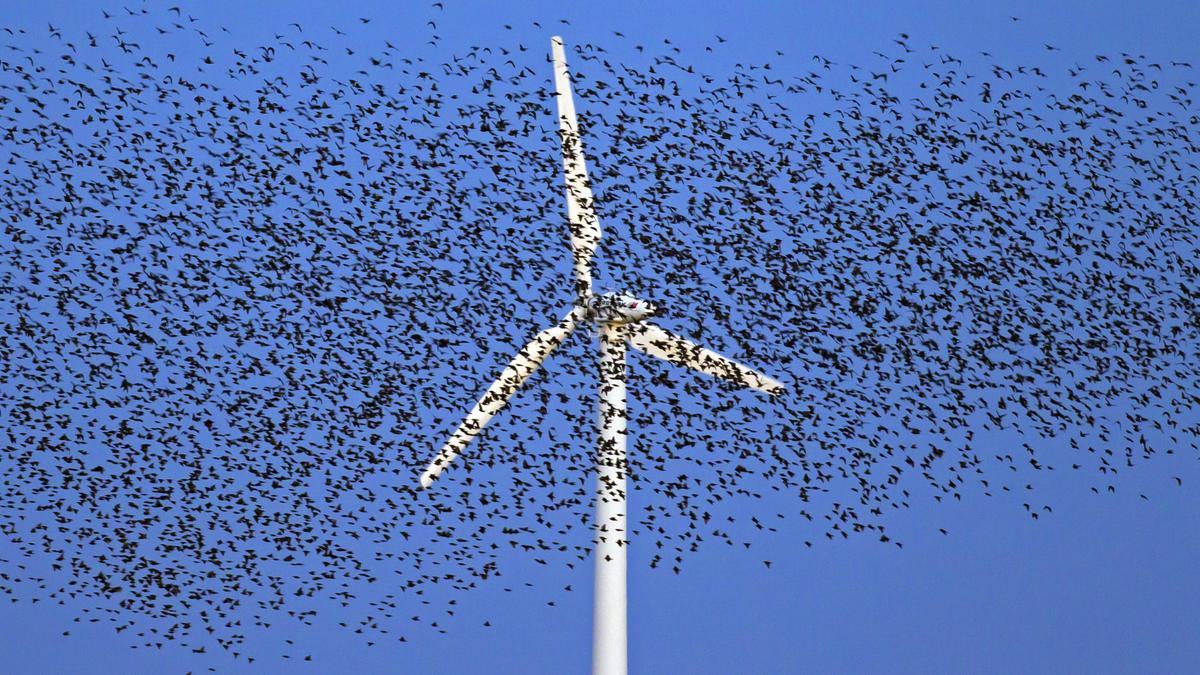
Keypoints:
pixel 248 294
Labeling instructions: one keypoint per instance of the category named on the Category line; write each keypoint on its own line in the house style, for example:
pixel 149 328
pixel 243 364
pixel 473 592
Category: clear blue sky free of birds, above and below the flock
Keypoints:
pixel 1106 584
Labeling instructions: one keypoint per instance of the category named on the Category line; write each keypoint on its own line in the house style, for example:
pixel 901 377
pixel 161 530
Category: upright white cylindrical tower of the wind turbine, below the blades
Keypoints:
pixel 609 612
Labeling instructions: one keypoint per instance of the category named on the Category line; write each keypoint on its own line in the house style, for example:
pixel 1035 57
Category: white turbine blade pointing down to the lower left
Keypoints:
pixel 499 395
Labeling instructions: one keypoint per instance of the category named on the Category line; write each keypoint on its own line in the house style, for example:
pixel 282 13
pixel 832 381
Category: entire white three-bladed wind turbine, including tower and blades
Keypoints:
pixel 621 320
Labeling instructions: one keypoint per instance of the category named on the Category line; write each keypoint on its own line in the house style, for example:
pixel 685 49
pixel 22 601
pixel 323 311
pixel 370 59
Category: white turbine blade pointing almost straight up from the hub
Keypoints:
pixel 583 219
